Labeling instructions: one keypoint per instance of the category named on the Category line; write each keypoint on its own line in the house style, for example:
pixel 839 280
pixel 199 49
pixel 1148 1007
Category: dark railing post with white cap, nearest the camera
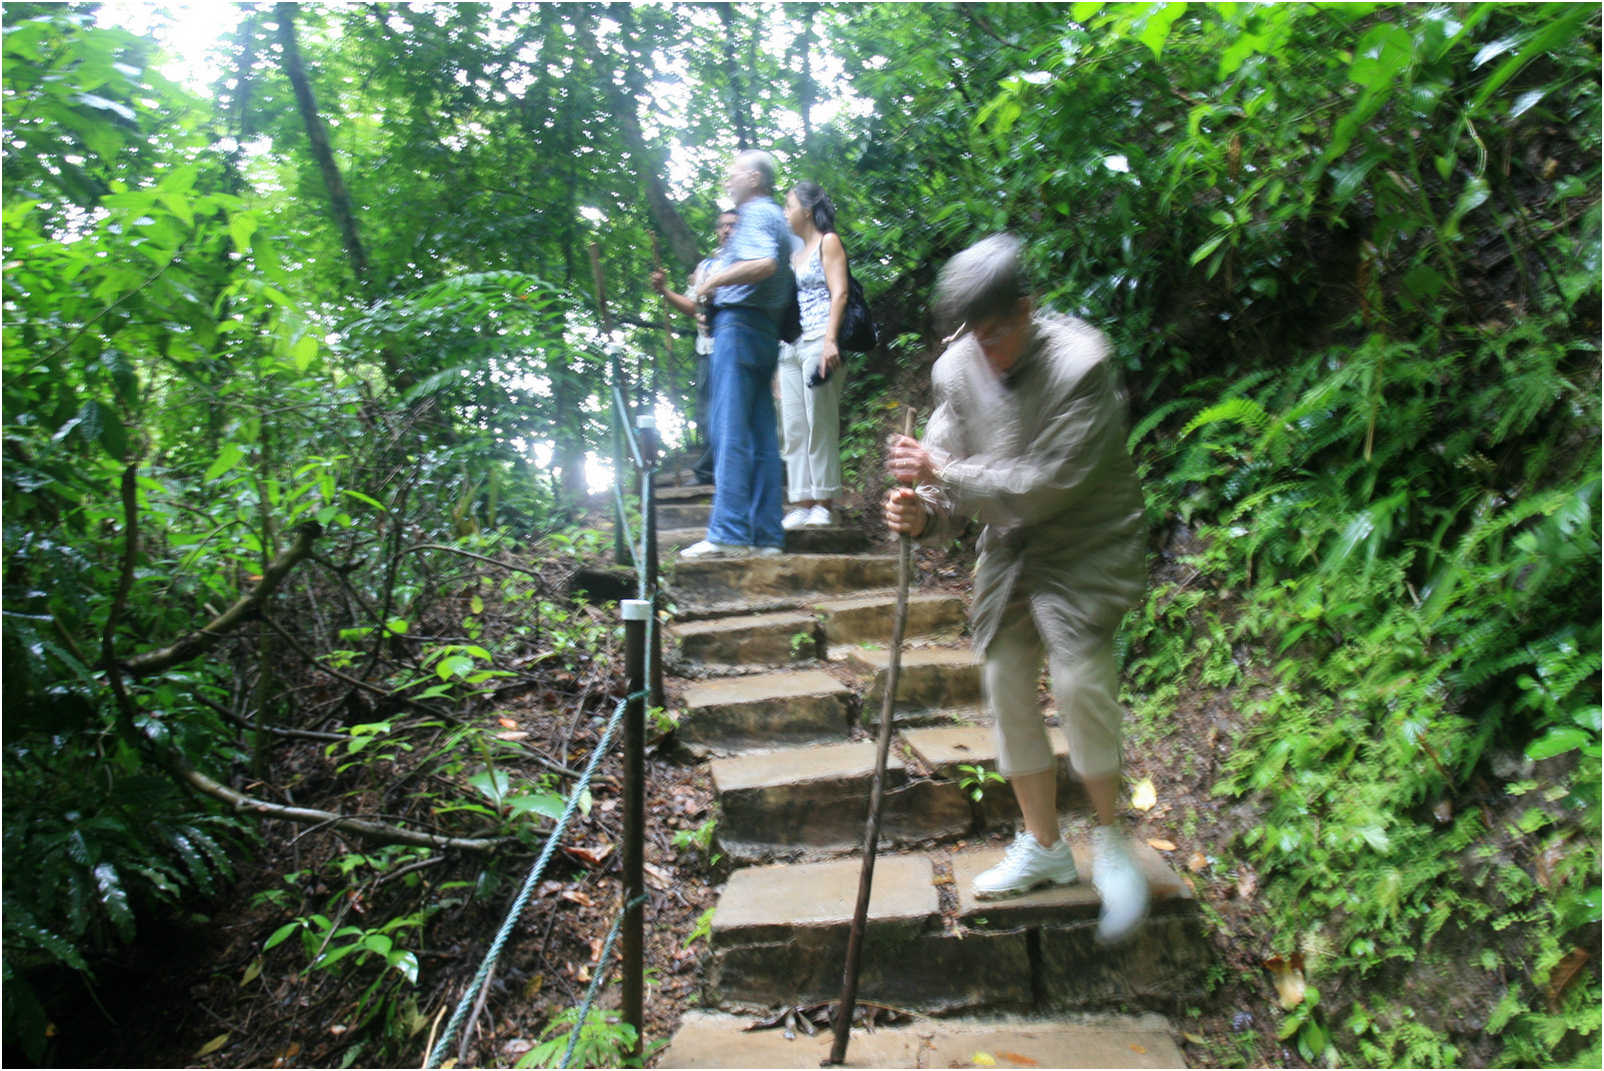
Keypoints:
pixel 638 615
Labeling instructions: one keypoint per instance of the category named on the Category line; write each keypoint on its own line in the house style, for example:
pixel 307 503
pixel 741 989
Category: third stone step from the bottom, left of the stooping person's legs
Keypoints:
pixel 819 799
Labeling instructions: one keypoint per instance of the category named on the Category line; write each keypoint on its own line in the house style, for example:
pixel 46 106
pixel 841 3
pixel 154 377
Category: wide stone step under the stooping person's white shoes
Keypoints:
pixel 780 932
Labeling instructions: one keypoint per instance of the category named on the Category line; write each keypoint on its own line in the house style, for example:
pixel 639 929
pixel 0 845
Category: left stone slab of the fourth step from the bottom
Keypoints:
pixel 766 711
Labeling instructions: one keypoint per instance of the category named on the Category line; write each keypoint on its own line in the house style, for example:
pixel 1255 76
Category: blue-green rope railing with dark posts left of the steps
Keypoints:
pixel 644 668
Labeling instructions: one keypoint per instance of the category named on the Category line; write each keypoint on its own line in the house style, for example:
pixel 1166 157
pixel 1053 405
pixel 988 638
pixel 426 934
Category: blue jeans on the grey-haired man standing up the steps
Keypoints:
pixel 747 448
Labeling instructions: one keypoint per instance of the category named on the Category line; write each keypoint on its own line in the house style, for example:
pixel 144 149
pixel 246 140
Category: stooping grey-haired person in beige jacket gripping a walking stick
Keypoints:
pixel 1029 435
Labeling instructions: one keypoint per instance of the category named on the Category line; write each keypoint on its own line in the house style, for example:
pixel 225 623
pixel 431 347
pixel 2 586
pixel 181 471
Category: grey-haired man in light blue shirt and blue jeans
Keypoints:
pixel 748 289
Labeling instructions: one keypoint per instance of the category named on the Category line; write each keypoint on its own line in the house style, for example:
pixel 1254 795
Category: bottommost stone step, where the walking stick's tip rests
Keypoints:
pixel 713 1040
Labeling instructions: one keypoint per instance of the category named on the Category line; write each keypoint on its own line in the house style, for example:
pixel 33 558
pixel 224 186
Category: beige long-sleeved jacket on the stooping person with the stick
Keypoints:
pixel 1040 456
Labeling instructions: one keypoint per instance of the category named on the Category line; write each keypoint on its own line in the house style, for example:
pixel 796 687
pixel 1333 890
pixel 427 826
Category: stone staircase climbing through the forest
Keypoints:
pixel 784 665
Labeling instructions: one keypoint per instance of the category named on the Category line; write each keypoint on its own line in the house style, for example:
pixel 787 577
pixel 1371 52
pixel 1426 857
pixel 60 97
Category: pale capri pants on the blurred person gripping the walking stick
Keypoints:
pixel 1085 684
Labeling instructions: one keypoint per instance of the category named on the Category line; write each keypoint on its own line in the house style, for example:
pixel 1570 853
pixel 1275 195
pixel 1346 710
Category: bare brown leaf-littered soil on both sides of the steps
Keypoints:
pixel 205 993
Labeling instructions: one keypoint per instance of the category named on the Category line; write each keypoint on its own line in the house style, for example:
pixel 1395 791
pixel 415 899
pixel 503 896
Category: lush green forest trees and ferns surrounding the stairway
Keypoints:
pixel 269 337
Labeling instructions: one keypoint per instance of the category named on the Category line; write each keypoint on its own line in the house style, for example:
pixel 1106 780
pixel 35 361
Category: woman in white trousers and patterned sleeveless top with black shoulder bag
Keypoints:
pixel 812 373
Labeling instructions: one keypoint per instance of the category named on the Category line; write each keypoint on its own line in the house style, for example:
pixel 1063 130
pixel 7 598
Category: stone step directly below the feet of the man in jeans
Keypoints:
pixel 740 583
